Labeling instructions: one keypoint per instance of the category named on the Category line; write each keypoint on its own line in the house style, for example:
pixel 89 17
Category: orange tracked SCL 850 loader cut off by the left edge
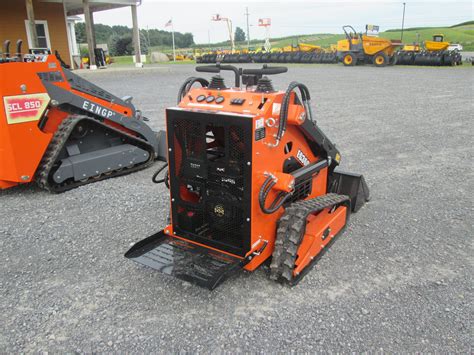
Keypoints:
pixel 63 131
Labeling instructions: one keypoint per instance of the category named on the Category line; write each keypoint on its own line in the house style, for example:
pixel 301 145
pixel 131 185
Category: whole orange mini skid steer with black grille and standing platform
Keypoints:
pixel 251 178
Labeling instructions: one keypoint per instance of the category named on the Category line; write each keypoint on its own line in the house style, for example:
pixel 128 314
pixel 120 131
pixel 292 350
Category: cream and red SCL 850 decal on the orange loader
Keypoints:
pixel 25 108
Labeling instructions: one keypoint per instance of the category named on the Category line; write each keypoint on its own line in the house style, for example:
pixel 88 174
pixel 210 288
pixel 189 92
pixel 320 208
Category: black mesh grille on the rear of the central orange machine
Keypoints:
pixel 210 201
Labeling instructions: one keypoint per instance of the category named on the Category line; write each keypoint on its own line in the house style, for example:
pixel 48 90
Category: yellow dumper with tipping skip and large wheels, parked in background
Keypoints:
pixel 358 48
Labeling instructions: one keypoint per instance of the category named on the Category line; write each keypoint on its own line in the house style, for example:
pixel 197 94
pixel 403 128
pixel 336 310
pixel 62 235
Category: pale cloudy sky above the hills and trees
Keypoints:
pixel 289 17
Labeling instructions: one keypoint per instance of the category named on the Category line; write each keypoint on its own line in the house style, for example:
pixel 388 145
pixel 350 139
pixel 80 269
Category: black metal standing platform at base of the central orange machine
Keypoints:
pixel 184 260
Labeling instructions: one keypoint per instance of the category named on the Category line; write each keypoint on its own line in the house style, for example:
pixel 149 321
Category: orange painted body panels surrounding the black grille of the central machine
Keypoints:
pixel 263 110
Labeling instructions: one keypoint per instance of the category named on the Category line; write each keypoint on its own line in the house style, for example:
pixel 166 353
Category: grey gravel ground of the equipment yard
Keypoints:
pixel 399 279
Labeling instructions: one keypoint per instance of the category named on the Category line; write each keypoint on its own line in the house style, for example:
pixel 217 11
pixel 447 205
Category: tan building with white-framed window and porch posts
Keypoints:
pixel 49 24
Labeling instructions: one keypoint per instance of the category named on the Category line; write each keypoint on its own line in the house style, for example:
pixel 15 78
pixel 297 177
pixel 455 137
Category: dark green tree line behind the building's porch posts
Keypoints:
pixel 119 38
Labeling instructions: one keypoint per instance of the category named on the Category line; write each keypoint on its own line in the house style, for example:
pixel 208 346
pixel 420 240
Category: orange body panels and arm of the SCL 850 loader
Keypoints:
pixel 24 101
